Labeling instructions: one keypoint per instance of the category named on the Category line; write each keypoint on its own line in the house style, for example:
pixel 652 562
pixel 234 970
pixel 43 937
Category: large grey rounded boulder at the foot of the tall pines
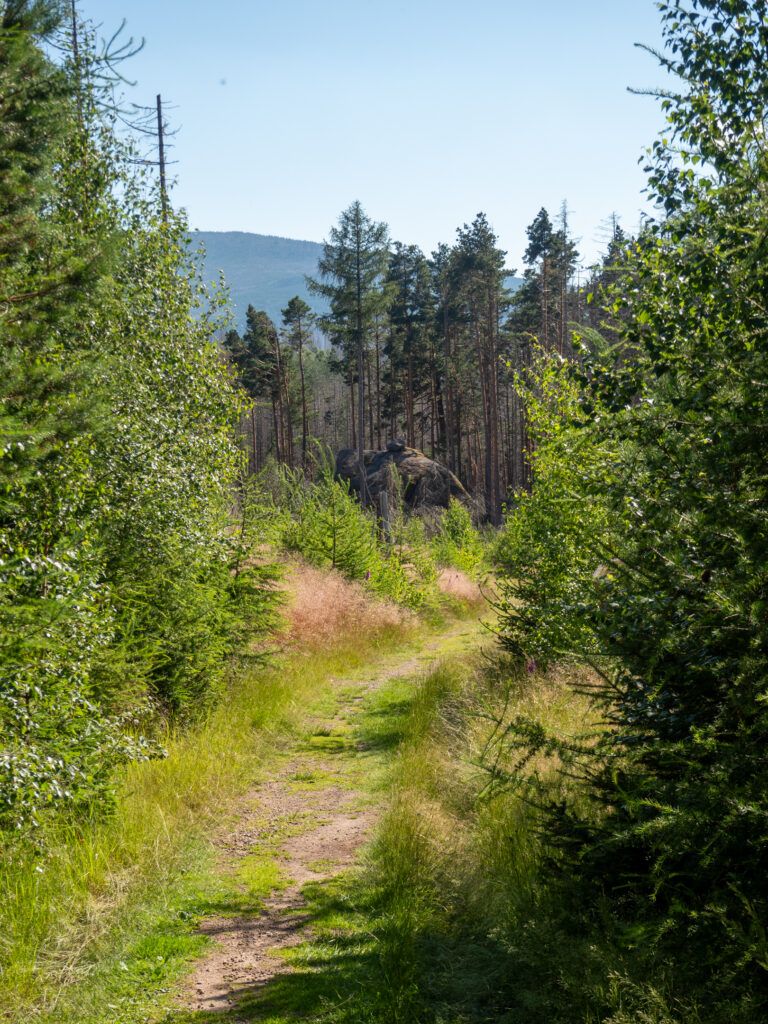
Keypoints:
pixel 423 482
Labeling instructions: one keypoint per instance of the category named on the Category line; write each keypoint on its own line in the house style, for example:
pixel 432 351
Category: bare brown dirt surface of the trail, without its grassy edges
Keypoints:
pixel 312 818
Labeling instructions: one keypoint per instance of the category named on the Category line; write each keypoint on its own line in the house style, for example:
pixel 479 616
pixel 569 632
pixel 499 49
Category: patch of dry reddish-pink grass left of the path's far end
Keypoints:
pixel 322 607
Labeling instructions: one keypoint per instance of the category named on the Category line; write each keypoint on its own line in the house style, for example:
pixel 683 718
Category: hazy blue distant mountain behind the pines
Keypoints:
pixel 266 271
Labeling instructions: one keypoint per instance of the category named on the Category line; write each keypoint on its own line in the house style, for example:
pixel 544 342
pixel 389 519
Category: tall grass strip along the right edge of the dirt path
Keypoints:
pixel 468 928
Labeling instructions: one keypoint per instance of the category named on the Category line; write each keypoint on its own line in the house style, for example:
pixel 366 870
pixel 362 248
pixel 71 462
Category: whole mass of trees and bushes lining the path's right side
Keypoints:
pixel 655 564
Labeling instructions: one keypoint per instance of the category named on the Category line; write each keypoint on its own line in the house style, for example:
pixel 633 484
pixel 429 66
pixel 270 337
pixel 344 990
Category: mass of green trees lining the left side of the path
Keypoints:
pixel 123 591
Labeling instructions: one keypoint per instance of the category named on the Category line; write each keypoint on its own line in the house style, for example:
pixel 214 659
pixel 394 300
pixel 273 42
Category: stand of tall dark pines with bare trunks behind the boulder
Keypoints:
pixel 424 349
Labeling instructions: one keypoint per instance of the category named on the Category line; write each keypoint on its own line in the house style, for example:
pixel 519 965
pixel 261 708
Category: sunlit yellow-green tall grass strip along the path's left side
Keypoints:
pixel 64 911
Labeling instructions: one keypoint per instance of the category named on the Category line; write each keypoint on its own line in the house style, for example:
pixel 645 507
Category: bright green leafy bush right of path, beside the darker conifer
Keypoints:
pixel 557 544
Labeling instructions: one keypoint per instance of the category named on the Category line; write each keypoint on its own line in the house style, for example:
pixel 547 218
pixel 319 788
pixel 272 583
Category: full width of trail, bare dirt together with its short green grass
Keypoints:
pixel 291 840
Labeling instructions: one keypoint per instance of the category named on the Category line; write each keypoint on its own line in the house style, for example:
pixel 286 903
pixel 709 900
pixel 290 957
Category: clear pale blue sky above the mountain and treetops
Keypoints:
pixel 426 112
